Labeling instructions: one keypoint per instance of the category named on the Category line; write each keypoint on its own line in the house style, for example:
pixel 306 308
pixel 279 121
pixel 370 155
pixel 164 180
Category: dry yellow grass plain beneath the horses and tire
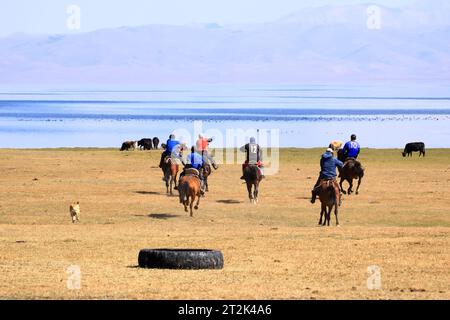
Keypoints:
pixel 400 222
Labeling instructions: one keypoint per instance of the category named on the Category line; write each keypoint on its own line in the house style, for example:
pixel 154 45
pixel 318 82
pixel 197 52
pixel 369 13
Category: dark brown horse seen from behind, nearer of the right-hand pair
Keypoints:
pixel 329 196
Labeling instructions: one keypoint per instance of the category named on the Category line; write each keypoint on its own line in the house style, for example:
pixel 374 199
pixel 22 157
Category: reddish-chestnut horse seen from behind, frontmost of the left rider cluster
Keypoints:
pixel 189 189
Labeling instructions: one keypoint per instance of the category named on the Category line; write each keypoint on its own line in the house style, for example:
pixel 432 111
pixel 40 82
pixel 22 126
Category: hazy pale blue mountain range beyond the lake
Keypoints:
pixel 323 44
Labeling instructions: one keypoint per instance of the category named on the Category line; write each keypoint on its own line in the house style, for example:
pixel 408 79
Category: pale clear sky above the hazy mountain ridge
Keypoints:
pixel 50 16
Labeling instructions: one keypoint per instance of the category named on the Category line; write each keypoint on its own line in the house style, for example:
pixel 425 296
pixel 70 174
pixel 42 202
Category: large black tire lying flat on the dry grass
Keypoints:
pixel 180 259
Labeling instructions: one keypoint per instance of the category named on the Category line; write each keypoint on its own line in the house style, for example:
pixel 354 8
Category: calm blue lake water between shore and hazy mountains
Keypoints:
pixel 288 116
